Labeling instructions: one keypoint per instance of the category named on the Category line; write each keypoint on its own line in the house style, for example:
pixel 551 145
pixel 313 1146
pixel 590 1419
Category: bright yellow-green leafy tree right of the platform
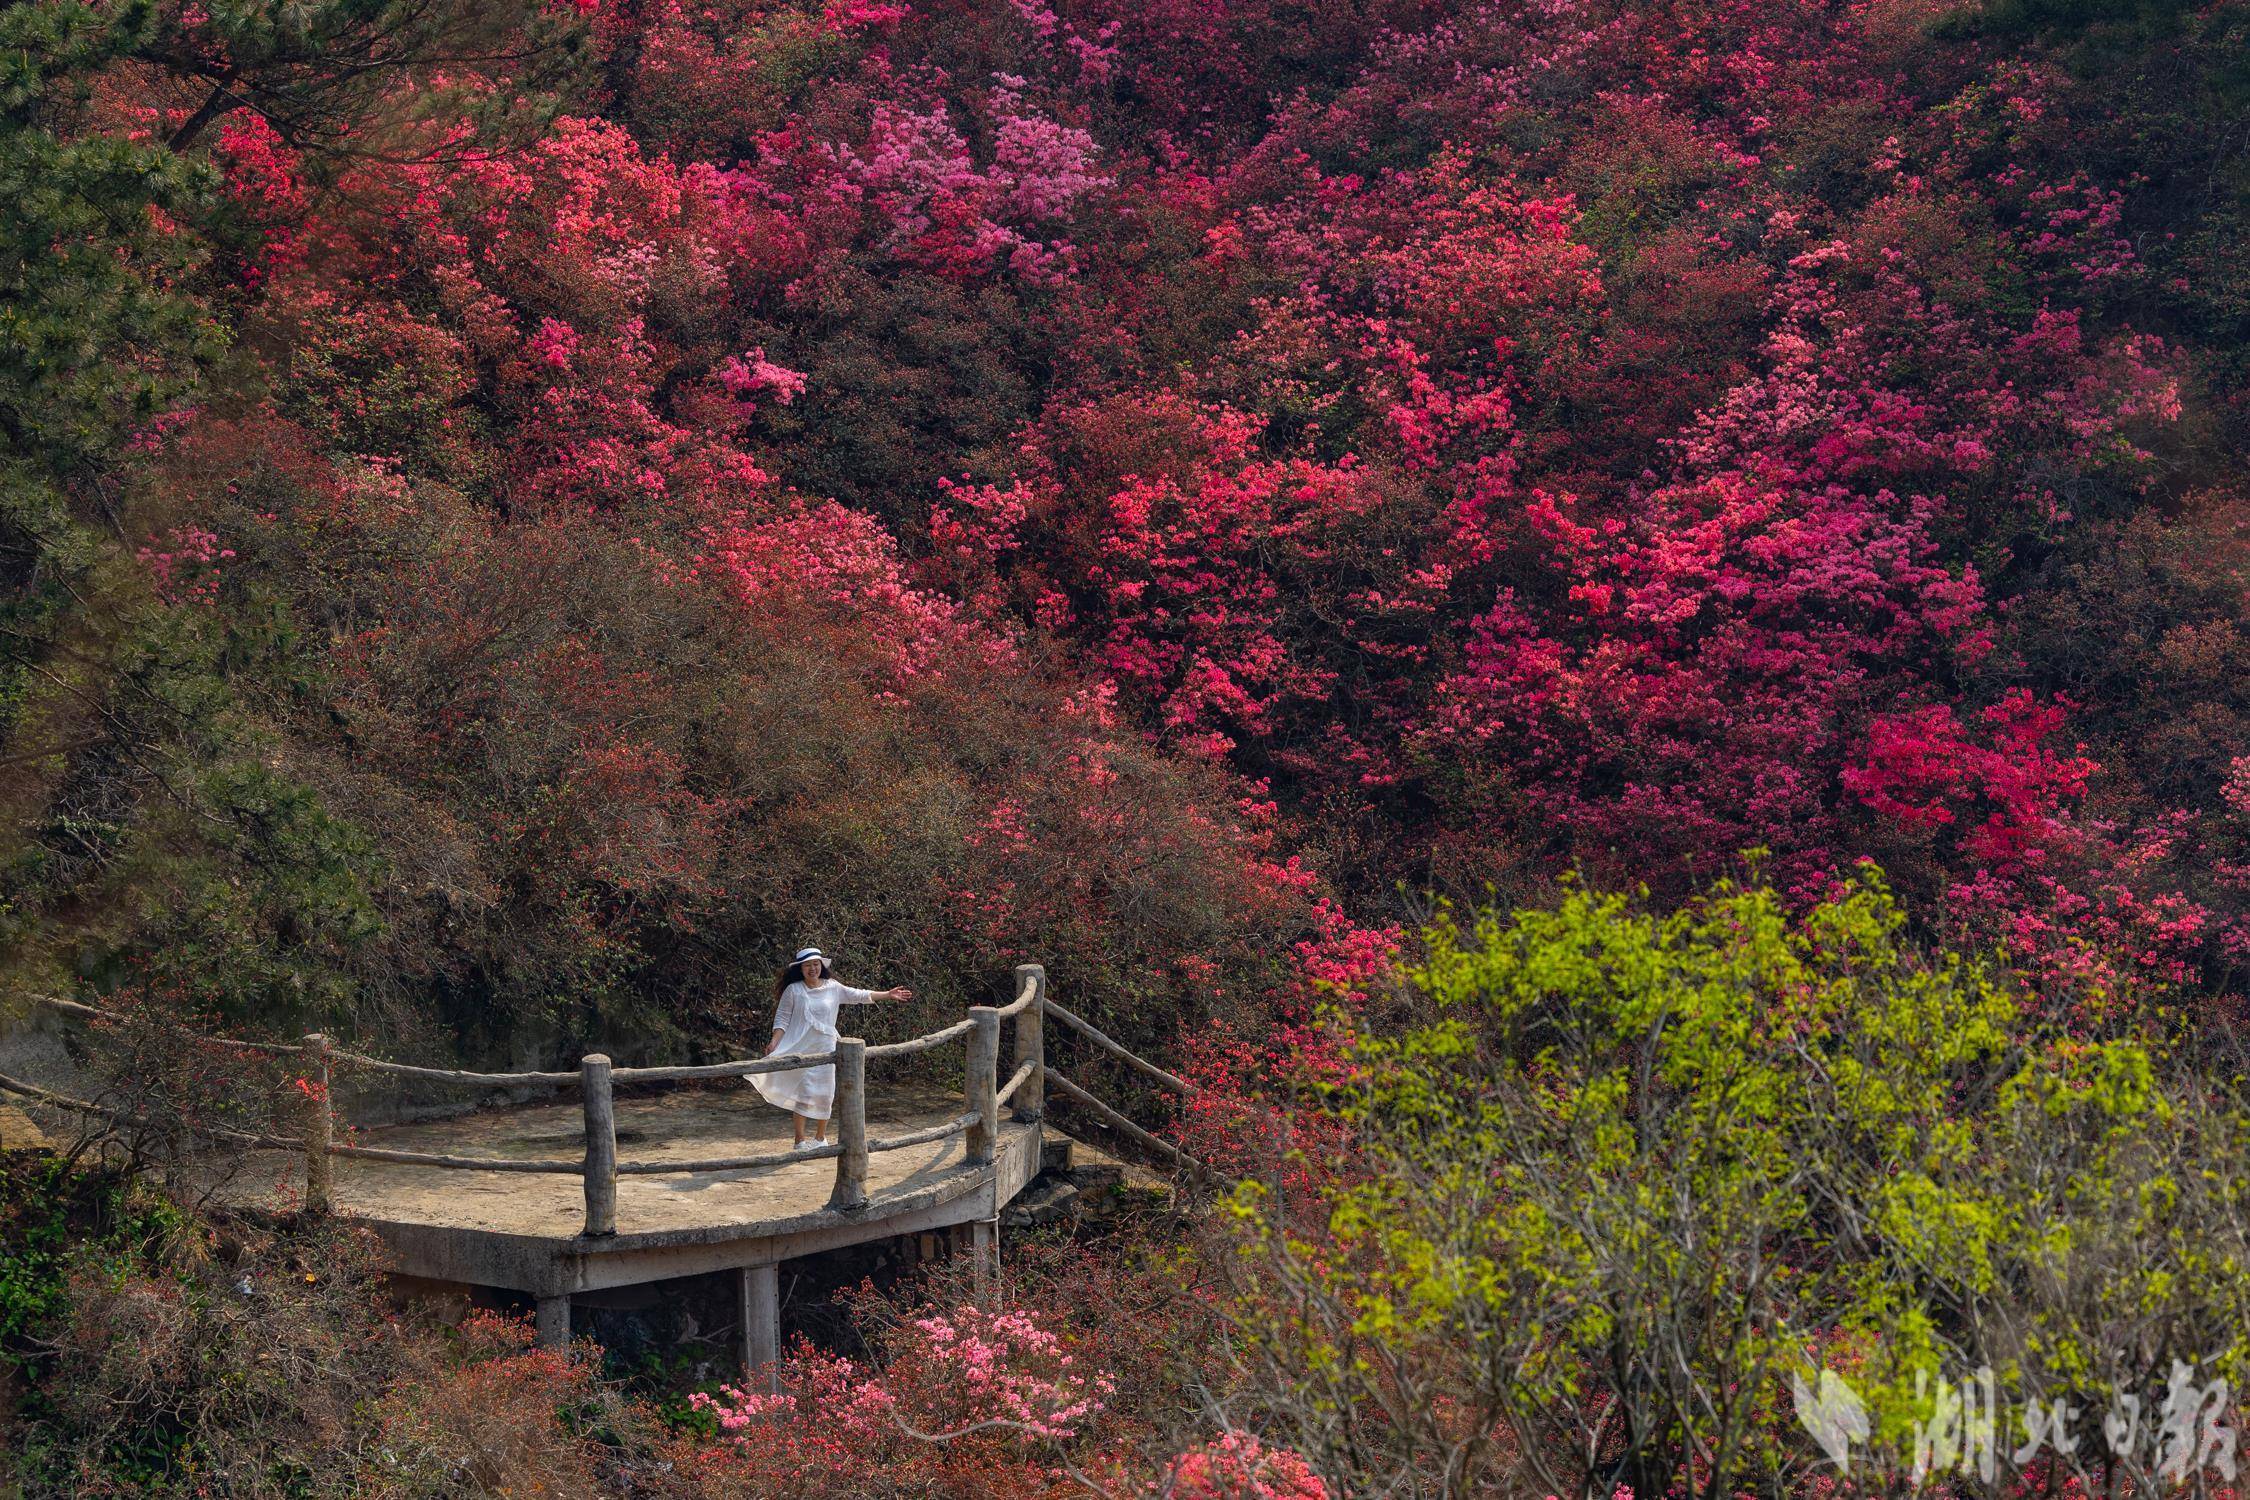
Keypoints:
pixel 1628 1177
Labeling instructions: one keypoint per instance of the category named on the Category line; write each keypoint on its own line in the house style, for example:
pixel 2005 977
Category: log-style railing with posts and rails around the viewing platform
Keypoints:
pixel 1025 1094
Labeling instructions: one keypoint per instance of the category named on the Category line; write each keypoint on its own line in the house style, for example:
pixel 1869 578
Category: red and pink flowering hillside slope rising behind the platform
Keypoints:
pixel 516 514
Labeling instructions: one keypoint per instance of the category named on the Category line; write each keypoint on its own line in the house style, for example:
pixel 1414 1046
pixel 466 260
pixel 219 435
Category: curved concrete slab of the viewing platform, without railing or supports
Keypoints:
pixel 525 1231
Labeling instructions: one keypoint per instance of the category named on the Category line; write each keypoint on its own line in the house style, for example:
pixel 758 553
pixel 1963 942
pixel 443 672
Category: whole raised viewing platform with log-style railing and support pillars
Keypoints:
pixel 663 1173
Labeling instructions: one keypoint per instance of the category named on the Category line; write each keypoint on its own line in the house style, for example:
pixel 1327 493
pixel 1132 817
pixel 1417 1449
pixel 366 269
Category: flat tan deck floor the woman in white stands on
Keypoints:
pixel 676 1126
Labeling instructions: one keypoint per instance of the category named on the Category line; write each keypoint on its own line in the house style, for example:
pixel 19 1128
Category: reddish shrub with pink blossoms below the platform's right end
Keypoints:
pixel 1072 1384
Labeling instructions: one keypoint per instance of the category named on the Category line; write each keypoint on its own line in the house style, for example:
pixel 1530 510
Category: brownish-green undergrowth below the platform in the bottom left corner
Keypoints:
pixel 156 1350
